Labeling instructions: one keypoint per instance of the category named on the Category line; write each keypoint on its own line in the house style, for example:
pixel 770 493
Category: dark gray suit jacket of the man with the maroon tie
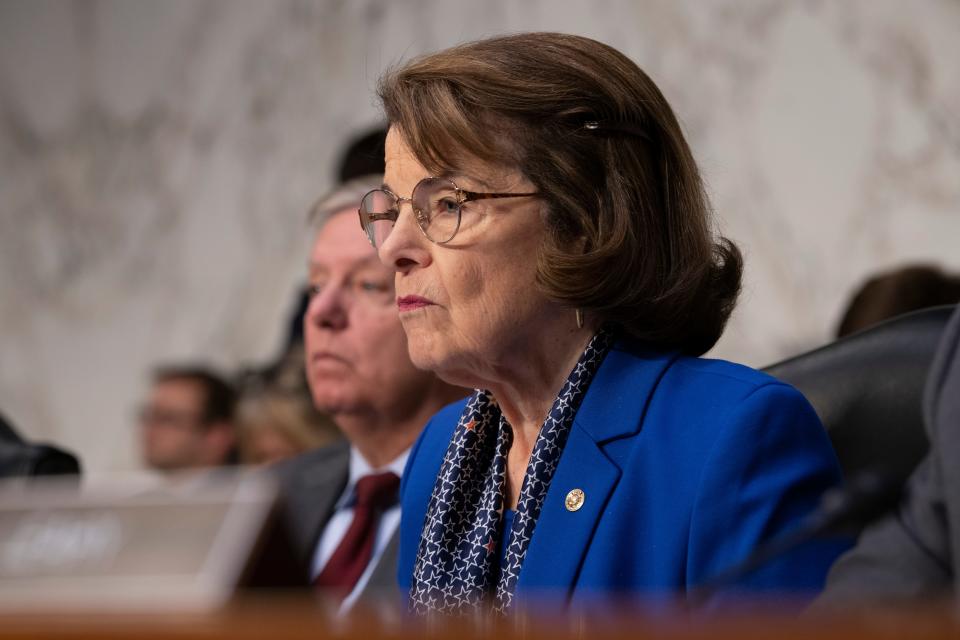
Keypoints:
pixel 310 485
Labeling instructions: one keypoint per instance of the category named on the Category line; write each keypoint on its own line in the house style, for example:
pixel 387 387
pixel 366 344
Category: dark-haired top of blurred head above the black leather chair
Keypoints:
pixel 896 292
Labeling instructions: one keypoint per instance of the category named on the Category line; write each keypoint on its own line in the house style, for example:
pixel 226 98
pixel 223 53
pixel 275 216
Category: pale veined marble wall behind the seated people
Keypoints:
pixel 157 160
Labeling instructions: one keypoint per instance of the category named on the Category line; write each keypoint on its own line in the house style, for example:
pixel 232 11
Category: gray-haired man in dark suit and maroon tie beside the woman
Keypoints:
pixel 341 501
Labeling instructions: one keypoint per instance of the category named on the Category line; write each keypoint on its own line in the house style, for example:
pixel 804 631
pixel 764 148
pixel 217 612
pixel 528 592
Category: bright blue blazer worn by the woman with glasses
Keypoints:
pixel 686 464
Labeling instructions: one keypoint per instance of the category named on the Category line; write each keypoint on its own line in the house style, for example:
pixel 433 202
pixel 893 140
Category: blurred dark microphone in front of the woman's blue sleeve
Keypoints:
pixel 843 510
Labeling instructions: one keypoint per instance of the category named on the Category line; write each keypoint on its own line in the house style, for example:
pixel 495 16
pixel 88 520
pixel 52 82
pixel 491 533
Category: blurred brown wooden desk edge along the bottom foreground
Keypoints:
pixel 295 619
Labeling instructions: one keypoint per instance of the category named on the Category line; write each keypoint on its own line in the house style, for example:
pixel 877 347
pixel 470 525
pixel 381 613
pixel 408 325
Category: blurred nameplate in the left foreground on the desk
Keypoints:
pixel 183 547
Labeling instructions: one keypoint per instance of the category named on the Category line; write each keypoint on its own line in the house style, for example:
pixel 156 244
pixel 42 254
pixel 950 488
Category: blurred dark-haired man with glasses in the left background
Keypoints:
pixel 187 421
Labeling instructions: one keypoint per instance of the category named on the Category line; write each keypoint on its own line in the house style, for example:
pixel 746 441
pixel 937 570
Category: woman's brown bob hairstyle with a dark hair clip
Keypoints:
pixel 629 233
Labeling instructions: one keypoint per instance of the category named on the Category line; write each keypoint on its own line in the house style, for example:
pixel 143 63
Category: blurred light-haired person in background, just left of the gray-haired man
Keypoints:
pixel 274 425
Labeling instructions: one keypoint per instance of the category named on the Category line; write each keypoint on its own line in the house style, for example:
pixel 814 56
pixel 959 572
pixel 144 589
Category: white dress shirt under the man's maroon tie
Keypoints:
pixel 343 515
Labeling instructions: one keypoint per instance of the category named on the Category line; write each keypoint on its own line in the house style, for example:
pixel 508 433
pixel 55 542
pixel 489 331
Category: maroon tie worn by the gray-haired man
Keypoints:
pixel 375 494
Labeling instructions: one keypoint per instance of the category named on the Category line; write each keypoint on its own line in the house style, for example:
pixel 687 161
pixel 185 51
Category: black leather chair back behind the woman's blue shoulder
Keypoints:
pixel 867 389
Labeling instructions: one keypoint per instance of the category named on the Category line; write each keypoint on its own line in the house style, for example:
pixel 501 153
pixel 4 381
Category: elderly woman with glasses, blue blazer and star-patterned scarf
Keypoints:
pixel 552 246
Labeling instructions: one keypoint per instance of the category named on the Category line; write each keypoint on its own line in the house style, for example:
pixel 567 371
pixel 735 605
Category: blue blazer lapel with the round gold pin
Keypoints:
pixel 613 408
